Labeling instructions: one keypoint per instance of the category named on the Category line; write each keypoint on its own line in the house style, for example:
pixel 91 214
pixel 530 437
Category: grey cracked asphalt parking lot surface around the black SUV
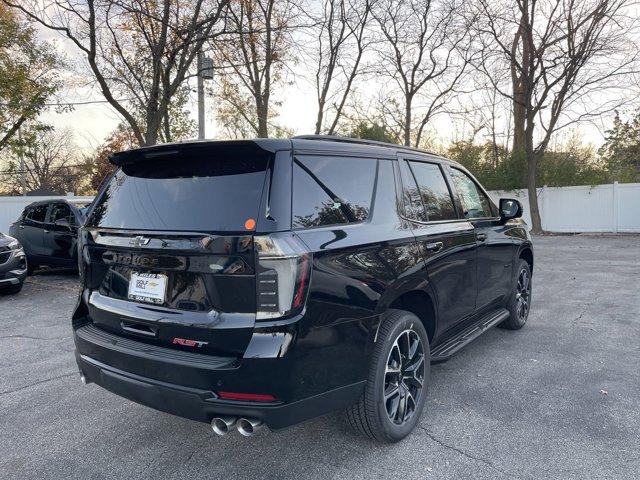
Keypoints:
pixel 559 399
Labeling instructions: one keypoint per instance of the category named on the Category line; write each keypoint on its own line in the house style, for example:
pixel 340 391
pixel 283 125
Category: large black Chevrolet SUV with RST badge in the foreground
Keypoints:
pixel 271 281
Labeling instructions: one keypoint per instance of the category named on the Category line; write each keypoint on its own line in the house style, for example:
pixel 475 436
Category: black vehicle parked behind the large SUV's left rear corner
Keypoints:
pixel 48 231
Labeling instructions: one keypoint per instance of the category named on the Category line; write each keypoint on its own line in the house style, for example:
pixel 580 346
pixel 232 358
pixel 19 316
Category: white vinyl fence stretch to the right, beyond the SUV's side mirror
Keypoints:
pixel 601 208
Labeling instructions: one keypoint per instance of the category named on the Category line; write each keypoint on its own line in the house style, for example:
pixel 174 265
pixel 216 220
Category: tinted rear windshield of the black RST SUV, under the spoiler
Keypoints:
pixel 212 192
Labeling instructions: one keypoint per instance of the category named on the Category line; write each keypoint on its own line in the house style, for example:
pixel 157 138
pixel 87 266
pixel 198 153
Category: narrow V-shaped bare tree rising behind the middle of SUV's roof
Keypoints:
pixel 342 37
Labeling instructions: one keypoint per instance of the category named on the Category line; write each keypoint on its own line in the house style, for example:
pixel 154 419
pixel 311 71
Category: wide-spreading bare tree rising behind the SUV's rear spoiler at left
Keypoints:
pixel 139 51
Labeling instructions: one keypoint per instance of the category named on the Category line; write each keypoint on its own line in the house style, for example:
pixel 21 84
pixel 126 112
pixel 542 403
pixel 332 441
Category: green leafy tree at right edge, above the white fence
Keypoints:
pixel 621 151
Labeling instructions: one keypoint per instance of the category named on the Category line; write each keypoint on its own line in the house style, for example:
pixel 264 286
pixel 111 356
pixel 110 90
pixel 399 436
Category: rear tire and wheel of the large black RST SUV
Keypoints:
pixel 396 387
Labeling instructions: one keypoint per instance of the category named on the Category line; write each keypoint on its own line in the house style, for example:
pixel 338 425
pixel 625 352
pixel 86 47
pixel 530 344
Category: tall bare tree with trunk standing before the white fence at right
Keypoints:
pixel 563 61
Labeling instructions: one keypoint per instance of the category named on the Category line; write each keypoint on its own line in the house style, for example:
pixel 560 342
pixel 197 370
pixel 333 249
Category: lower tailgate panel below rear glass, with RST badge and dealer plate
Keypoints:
pixel 208 289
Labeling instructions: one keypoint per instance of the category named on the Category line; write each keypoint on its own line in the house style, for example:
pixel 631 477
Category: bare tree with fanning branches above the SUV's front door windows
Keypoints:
pixel 425 51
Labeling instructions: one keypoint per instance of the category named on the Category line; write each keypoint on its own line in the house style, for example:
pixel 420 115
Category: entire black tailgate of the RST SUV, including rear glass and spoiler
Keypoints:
pixel 168 246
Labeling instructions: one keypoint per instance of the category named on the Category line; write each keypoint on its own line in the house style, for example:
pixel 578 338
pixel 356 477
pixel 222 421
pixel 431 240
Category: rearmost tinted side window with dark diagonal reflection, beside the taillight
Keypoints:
pixel 331 190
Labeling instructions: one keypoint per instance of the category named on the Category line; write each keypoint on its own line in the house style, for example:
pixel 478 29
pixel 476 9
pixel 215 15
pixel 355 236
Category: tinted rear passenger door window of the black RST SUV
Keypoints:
pixel 434 191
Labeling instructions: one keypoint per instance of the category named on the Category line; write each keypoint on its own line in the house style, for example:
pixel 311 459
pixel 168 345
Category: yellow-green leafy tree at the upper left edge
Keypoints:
pixel 27 74
